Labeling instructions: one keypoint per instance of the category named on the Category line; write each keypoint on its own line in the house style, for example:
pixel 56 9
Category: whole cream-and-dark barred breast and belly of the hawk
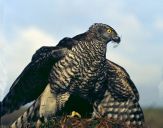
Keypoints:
pixel 80 69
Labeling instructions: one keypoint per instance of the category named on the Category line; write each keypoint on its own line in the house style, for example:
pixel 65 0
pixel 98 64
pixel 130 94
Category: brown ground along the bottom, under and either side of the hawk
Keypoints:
pixel 153 117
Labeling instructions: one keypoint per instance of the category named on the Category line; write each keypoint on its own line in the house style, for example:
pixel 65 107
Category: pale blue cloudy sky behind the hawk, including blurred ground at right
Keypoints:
pixel 25 26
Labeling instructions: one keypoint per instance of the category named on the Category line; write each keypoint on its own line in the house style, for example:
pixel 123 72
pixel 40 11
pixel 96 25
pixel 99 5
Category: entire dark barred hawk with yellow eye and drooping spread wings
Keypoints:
pixel 76 66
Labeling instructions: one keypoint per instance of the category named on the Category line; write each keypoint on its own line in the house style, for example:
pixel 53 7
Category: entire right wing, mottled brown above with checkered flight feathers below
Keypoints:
pixel 121 99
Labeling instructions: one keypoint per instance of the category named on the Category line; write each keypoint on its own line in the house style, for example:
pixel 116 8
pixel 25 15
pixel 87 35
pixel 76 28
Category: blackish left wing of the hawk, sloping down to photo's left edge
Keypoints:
pixel 34 78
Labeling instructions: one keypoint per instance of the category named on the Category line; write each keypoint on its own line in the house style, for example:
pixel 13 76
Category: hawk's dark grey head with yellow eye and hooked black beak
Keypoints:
pixel 104 32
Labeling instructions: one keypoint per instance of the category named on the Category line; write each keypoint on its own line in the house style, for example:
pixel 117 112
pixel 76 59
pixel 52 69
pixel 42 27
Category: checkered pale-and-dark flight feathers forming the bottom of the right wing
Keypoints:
pixel 128 111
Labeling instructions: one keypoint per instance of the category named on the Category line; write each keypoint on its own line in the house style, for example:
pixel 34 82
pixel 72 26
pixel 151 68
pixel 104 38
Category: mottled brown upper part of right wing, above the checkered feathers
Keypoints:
pixel 120 83
